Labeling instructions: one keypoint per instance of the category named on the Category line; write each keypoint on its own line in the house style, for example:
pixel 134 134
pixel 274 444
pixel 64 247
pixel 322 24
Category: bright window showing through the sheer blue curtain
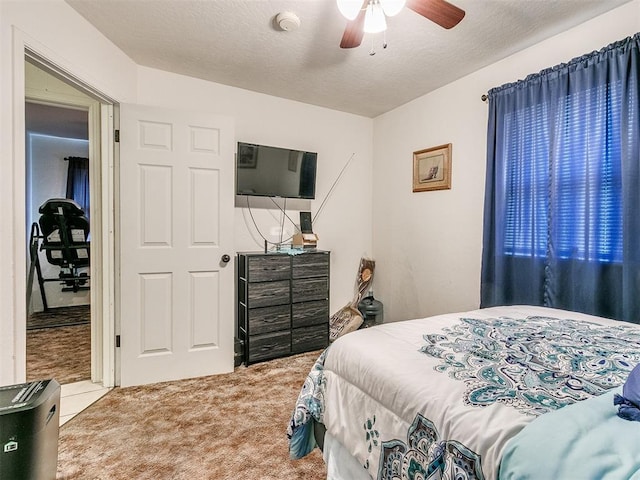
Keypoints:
pixel 573 199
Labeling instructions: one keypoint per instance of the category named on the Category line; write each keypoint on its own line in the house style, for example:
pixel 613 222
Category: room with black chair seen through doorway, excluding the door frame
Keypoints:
pixel 58 289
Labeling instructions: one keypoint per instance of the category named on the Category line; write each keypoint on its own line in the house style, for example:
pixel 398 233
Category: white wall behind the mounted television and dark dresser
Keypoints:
pixel 344 225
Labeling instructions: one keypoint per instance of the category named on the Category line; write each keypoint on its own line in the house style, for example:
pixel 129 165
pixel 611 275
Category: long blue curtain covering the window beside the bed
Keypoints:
pixel 562 197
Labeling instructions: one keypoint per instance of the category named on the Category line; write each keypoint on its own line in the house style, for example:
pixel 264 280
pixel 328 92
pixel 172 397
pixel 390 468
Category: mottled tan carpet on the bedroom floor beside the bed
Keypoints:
pixel 230 426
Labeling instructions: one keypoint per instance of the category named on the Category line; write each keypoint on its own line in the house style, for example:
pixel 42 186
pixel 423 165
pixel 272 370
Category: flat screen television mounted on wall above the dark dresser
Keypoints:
pixel 266 171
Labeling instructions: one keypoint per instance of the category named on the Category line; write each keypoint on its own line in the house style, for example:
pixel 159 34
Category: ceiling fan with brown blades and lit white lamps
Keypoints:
pixel 369 15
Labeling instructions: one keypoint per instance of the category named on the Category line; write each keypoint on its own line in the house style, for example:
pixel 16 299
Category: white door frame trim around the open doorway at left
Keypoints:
pixel 103 190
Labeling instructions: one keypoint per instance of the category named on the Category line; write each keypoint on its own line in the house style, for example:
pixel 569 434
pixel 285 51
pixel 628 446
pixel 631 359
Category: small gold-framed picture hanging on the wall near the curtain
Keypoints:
pixel 432 168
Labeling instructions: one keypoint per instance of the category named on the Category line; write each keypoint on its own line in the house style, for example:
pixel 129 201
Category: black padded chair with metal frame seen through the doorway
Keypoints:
pixel 63 233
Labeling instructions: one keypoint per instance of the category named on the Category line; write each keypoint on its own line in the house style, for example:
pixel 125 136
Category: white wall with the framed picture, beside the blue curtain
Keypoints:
pixel 429 244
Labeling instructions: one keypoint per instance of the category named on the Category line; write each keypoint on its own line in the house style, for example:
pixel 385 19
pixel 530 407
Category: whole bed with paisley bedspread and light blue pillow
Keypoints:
pixel 499 393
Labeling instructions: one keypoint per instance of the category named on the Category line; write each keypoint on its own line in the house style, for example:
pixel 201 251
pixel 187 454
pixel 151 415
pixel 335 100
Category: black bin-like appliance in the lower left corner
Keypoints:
pixel 29 419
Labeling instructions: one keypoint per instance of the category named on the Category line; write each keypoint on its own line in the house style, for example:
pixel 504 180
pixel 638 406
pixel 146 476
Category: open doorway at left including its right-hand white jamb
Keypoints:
pixel 68 126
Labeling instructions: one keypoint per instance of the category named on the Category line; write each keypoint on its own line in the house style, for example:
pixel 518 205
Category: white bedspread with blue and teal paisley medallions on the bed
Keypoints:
pixel 441 397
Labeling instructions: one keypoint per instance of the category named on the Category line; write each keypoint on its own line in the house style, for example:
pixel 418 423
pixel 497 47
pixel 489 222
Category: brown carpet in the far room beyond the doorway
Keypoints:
pixel 63 353
